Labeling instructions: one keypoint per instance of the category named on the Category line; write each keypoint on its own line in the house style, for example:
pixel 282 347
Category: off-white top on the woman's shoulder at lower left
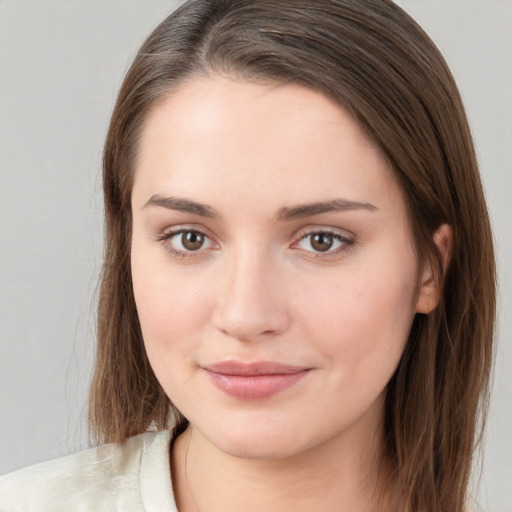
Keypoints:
pixel 130 477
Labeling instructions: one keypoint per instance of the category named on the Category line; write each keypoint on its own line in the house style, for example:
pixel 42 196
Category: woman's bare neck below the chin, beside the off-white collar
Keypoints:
pixel 344 474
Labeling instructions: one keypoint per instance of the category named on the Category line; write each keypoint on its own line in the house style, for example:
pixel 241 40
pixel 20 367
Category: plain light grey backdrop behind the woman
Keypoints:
pixel 61 63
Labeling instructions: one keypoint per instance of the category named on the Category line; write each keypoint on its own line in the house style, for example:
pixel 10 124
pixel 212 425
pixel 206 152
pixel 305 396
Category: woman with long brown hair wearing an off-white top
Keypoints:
pixel 298 290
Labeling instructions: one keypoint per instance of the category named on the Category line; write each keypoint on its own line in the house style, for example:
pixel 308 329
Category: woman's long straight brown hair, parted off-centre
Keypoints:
pixel 374 60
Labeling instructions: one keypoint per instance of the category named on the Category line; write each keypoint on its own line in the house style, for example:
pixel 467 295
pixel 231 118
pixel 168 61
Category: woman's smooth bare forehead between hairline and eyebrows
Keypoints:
pixel 222 139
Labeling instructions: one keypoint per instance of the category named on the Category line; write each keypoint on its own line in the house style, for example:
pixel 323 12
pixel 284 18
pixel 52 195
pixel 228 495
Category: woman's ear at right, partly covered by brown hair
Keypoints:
pixel 429 291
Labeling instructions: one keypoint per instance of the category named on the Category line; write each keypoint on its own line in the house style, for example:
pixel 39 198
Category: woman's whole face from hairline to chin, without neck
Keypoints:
pixel 273 270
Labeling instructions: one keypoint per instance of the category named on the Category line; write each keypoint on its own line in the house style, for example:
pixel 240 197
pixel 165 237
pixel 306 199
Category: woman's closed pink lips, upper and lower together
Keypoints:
pixel 253 381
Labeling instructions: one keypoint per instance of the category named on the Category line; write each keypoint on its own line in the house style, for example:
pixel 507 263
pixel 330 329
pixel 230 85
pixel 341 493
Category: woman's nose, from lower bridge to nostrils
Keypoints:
pixel 252 302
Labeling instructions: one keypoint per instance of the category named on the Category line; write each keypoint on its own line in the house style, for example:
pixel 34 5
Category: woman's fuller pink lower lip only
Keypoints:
pixel 255 387
